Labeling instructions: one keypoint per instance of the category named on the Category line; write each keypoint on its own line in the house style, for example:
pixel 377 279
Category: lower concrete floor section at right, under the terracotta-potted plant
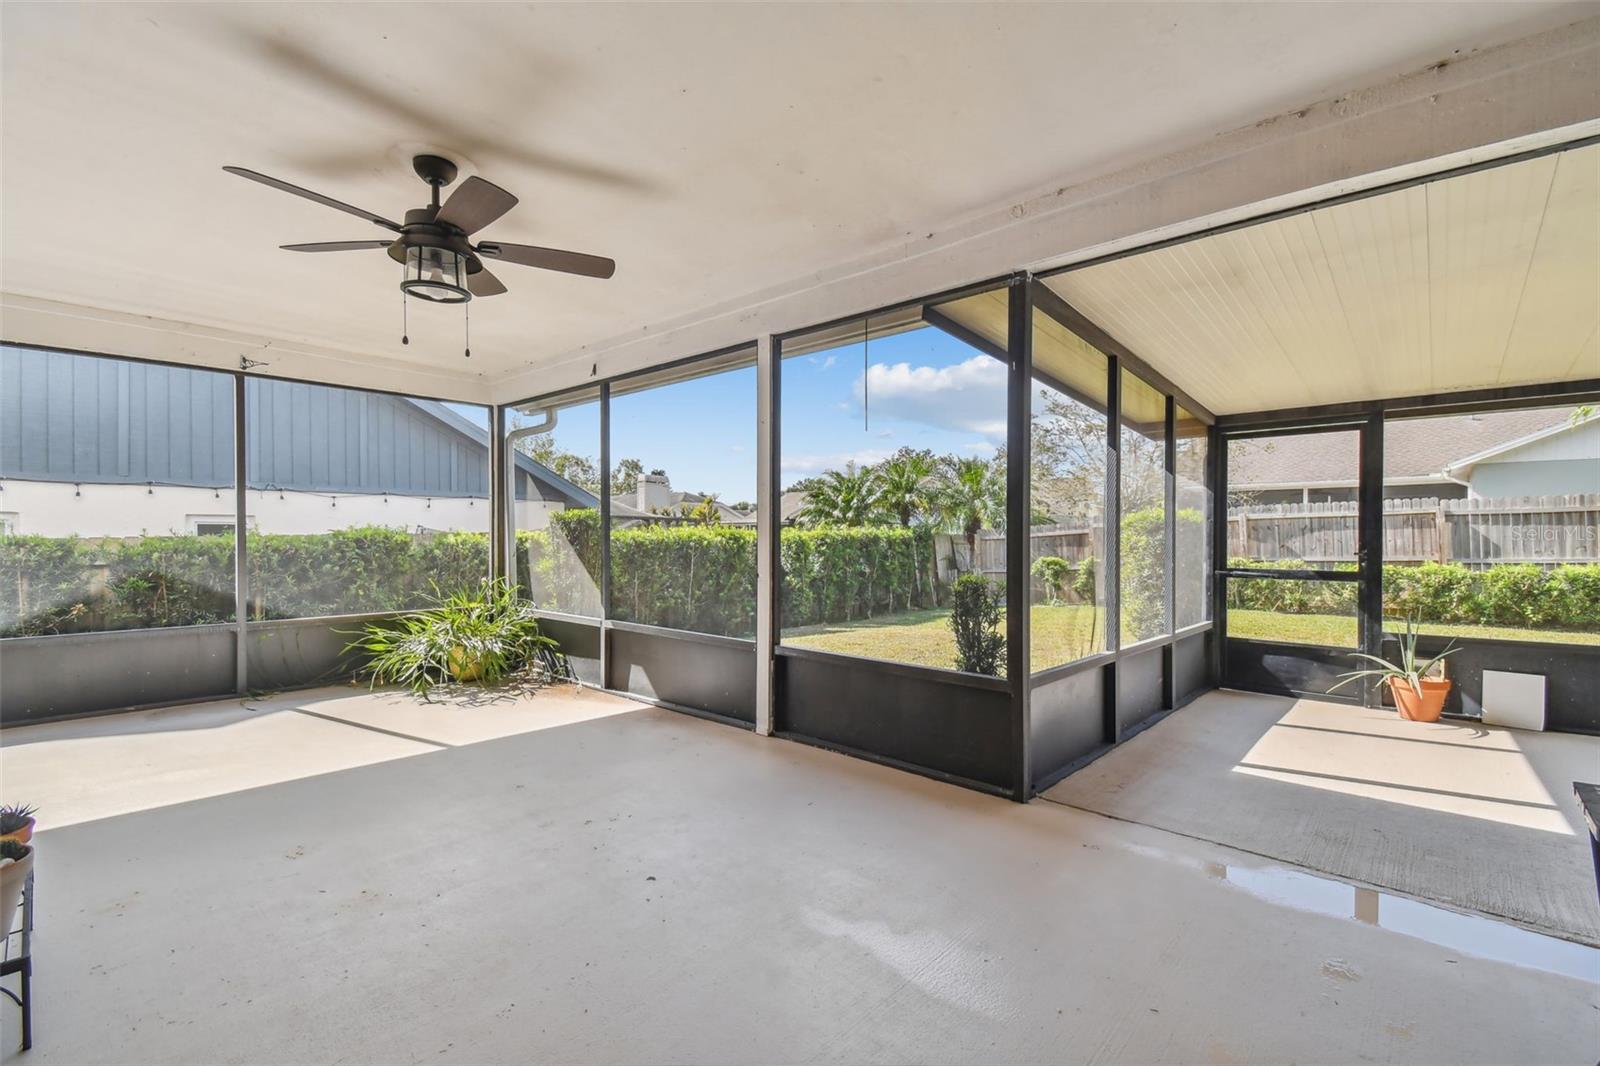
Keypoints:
pixel 1463 814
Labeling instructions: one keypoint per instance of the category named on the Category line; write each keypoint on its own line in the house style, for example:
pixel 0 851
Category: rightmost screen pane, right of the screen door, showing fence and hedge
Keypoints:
pixel 1514 551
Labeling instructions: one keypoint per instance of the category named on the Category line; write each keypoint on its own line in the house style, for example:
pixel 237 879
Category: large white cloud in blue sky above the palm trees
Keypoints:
pixel 967 398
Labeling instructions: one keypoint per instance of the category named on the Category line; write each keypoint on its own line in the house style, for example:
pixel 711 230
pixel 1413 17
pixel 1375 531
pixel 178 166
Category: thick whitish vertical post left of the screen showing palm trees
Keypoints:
pixel 767 516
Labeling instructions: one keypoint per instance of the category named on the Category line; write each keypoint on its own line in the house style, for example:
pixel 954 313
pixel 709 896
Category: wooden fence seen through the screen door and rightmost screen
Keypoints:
pixel 1476 534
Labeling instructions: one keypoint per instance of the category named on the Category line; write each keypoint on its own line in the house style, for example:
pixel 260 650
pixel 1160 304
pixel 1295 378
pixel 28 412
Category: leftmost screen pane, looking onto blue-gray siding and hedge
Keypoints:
pixel 118 454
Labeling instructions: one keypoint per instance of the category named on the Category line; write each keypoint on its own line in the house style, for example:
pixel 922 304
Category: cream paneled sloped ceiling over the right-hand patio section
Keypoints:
pixel 1481 281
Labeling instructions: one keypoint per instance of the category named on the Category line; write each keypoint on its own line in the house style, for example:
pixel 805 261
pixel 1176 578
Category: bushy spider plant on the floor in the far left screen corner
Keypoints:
pixel 482 636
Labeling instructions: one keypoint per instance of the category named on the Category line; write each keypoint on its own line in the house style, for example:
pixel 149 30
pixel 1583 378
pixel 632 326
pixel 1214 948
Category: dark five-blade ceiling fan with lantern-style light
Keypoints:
pixel 441 263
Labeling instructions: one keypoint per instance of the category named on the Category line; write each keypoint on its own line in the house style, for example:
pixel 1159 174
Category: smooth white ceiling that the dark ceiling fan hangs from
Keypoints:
pixel 711 150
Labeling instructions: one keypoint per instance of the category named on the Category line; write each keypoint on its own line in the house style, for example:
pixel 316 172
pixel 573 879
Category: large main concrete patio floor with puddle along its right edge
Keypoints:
pixel 634 886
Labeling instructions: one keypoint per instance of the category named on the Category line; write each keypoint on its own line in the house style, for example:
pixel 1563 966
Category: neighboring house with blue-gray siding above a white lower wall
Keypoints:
pixel 103 447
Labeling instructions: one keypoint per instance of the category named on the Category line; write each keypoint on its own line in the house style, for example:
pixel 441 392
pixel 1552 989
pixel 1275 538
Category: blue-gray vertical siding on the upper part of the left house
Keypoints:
pixel 79 419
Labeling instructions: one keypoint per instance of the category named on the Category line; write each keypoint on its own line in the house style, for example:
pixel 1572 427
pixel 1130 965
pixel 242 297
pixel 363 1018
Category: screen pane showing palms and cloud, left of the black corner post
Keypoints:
pixel 894 476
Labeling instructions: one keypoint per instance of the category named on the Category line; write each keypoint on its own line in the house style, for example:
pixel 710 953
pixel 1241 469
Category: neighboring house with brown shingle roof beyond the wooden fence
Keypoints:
pixel 1502 454
